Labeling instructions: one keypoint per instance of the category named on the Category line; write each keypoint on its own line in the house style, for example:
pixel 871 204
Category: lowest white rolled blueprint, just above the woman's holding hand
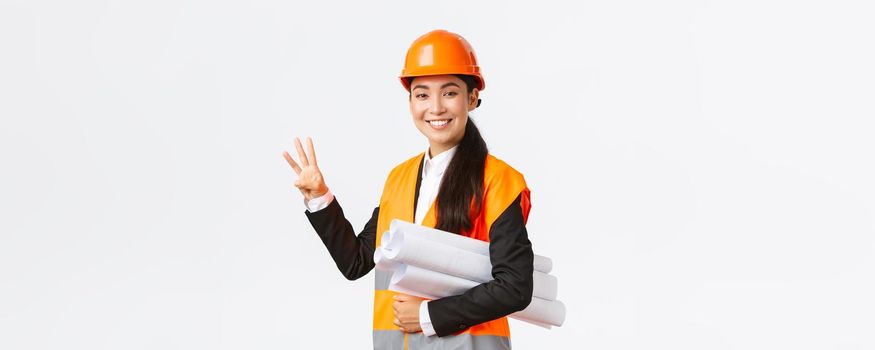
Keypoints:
pixel 428 284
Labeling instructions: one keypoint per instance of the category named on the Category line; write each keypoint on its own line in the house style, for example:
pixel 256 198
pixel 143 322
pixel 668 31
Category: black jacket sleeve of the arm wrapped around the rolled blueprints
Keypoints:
pixel 511 288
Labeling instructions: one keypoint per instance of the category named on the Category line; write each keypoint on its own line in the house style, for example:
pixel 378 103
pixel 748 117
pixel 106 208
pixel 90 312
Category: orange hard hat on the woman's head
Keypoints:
pixel 440 52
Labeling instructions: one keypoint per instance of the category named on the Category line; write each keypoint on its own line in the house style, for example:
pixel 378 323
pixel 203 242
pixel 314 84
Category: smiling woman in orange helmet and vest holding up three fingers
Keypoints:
pixel 456 186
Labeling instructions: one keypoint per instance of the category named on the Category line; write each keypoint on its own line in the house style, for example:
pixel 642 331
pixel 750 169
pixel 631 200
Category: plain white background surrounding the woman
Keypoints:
pixel 701 172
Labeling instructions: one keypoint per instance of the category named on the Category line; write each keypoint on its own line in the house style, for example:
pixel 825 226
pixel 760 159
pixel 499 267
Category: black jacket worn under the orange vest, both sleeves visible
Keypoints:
pixel 509 251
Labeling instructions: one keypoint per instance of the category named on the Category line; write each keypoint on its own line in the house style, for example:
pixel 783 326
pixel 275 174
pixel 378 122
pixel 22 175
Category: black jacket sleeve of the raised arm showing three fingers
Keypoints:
pixel 353 255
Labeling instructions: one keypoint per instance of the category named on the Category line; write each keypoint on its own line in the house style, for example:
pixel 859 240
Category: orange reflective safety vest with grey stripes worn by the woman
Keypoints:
pixel 502 184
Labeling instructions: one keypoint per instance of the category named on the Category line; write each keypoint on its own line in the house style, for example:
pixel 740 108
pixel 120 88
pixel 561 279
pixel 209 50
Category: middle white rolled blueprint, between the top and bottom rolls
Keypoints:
pixel 412 249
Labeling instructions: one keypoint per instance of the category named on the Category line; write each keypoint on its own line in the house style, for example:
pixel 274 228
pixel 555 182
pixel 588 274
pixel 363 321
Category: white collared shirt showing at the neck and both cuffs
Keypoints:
pixel 433 170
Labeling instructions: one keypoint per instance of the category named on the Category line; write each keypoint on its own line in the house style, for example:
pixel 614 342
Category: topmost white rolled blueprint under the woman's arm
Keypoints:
pixel 399 227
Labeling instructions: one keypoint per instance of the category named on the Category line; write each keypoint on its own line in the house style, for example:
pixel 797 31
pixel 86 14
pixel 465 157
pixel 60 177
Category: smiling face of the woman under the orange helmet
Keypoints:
pixel 439 105
